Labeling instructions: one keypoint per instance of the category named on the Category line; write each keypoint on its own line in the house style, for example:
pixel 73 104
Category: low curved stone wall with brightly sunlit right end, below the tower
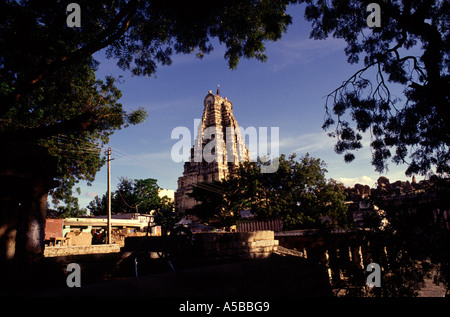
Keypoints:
pixel 247 245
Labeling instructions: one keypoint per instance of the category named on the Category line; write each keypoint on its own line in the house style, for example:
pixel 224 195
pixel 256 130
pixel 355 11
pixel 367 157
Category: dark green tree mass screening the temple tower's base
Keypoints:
pixel 296 193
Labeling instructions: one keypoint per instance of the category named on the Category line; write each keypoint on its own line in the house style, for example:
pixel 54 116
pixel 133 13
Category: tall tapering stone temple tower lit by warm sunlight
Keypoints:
pixel 217 152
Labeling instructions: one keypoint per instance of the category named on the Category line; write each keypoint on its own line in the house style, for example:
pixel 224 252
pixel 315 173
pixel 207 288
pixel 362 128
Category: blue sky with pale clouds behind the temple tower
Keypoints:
pixel 288 91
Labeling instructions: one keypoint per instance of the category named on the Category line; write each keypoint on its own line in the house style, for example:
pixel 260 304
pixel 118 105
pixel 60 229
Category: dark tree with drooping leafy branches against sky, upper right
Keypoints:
pixel 410 49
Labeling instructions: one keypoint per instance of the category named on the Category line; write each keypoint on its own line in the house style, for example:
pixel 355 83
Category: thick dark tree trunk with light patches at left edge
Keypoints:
pixel 26 176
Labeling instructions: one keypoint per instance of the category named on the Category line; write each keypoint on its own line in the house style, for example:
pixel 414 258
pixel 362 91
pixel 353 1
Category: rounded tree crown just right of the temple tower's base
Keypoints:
pixel 299 194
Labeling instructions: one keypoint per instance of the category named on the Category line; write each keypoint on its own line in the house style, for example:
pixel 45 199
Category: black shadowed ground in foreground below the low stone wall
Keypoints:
pixel 277 276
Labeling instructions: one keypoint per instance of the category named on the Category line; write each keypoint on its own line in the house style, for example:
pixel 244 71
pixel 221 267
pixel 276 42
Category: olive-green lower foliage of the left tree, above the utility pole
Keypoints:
pixel 79 152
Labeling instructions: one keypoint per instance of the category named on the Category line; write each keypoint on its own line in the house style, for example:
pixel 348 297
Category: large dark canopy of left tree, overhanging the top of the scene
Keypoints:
pixel 49 94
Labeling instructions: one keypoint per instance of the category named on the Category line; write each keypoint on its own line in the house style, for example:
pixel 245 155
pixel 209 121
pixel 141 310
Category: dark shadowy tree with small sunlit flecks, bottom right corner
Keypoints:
pixel 414 240
